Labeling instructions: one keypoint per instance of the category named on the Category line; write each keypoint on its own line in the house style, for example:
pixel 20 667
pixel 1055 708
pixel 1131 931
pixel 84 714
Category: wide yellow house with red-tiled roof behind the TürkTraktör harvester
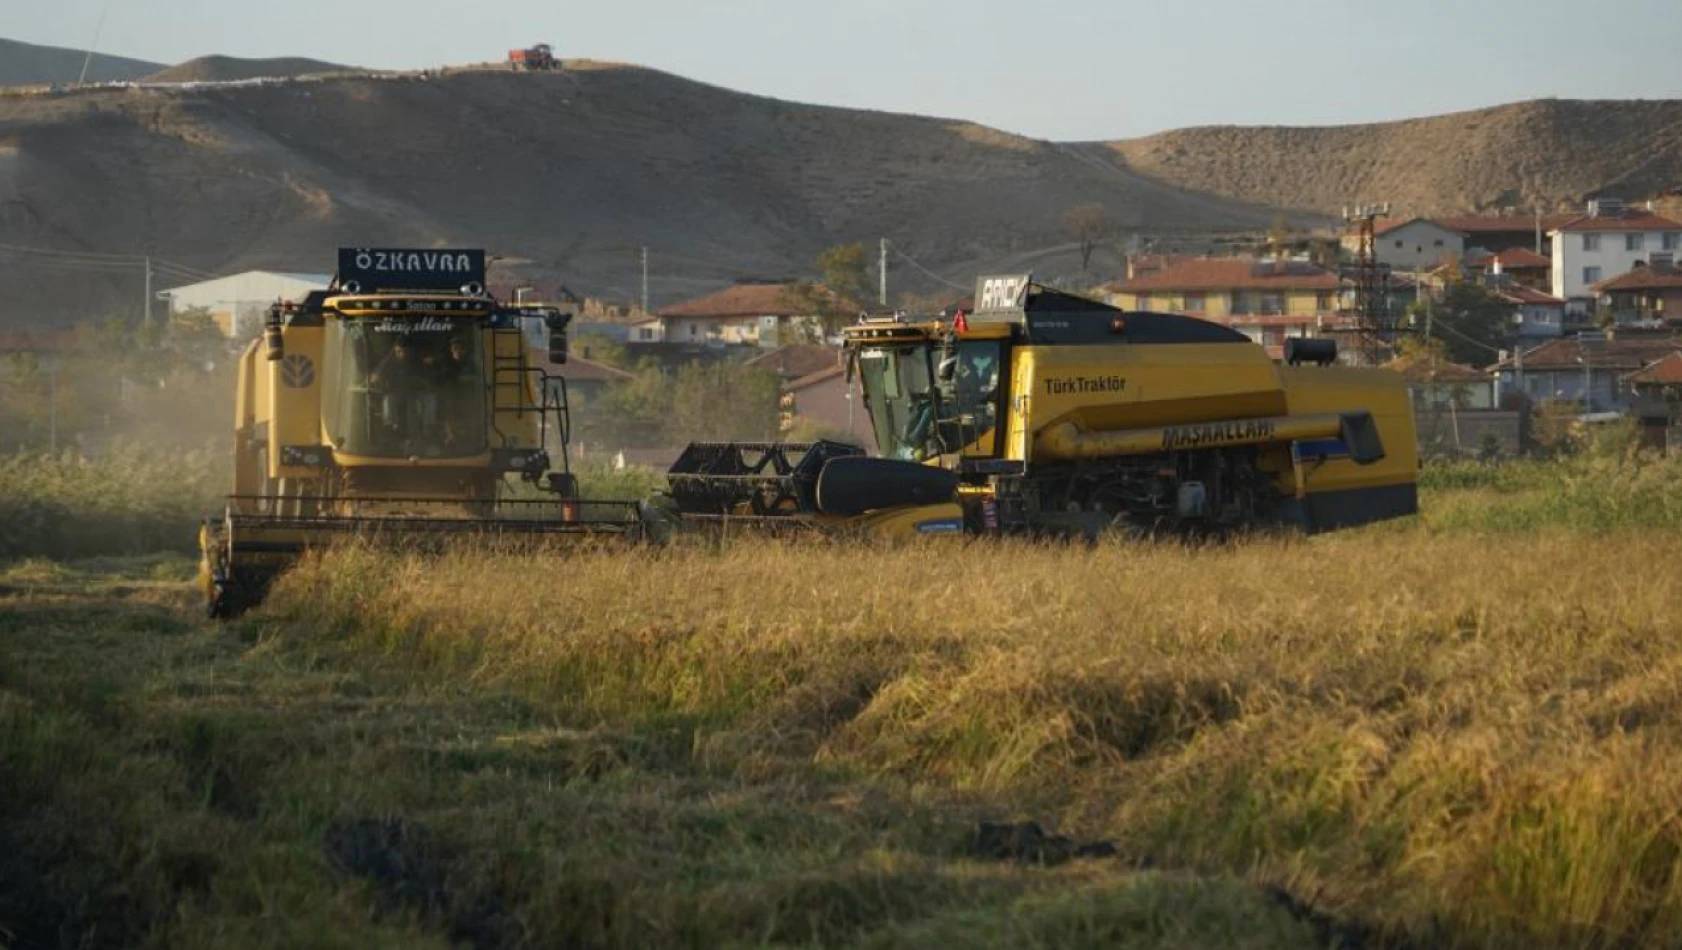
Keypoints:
pixel 1264 300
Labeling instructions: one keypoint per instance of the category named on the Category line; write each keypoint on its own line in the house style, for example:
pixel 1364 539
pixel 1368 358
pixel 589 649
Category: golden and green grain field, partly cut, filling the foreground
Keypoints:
pixel 1417 736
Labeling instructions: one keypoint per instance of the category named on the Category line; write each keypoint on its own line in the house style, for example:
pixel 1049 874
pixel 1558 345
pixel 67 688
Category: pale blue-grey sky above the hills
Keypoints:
pixel 1071 70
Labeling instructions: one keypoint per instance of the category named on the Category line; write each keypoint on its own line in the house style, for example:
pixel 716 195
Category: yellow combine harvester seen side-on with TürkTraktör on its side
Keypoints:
pixel 1045 413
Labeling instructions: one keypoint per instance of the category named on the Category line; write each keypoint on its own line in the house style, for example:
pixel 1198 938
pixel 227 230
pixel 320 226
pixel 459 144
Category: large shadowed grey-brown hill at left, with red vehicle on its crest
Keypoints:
pixel 571 172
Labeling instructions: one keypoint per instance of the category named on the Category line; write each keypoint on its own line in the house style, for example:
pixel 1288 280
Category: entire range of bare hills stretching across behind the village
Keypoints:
pixel 568 176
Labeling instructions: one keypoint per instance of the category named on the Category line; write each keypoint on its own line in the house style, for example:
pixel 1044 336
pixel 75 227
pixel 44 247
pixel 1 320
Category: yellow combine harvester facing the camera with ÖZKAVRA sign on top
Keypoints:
pixel 396 404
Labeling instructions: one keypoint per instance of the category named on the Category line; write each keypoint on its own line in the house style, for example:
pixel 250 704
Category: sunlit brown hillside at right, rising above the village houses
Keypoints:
pixel 1547 152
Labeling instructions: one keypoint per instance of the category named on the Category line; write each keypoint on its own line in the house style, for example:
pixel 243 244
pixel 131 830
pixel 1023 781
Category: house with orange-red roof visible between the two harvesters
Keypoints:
pixel 748 314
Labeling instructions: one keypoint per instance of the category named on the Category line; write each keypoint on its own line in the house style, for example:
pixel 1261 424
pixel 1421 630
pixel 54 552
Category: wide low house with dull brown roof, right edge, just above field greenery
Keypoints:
pixel 1594 366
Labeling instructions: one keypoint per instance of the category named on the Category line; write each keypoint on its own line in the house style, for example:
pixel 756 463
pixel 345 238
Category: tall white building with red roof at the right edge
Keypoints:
pixel 1607 241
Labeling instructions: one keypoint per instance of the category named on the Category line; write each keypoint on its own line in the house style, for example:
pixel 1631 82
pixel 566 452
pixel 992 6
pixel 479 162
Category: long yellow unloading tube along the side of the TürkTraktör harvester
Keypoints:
pixel 1357 430
